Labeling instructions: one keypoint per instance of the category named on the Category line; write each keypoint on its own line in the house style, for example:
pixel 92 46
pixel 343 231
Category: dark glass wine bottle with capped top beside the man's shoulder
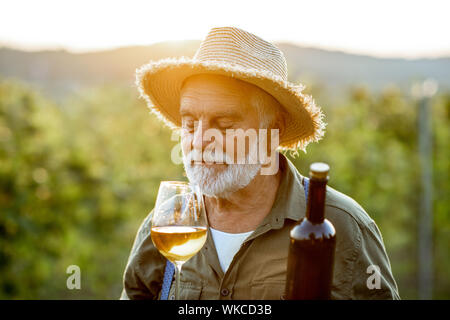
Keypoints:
pixel 313 241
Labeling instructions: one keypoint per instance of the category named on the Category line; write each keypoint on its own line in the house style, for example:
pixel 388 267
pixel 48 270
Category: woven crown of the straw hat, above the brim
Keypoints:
pixel 238 47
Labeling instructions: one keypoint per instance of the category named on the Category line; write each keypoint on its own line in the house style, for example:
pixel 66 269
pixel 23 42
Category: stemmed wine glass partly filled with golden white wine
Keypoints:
pixel 179 226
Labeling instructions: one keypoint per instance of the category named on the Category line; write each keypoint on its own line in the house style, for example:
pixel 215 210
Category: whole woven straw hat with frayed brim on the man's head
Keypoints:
pixel 239 54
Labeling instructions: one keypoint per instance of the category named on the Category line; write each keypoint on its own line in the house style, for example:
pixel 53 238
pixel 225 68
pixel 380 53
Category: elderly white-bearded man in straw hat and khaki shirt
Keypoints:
pixel 236 80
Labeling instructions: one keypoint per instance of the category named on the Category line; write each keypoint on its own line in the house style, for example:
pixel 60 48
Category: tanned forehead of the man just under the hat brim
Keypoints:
pixel 216 95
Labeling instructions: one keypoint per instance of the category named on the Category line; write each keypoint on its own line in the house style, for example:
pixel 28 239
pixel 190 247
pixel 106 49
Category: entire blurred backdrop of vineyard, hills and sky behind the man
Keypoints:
pixel 81 158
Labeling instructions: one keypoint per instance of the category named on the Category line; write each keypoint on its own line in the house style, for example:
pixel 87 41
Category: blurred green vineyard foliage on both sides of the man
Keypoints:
pixel 77 178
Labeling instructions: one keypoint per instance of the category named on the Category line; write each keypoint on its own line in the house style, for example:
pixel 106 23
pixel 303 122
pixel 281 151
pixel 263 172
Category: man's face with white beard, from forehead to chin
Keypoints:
pixel 211 103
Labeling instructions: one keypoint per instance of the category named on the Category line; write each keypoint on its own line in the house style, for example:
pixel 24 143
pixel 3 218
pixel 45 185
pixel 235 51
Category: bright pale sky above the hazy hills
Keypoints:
pixel 385 28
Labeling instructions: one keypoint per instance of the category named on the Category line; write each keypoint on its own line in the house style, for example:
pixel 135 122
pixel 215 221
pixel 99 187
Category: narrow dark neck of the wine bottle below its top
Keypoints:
pixel 315 210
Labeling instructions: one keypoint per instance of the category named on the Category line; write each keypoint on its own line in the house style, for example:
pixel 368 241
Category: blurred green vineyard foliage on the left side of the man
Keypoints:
pixel 76 180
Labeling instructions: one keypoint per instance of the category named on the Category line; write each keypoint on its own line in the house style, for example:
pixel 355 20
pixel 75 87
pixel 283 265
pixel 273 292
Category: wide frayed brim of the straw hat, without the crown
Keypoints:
pixel 160 82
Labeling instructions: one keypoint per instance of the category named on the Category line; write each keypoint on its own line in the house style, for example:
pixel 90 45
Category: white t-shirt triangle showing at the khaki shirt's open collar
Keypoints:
pixel 227 245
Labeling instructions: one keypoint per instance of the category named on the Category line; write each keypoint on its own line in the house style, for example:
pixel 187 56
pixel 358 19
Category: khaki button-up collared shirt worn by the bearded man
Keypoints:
pixel 258 270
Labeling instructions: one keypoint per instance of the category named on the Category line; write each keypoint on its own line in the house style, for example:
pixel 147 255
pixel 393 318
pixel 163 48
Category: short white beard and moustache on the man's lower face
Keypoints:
pixel 220 184
